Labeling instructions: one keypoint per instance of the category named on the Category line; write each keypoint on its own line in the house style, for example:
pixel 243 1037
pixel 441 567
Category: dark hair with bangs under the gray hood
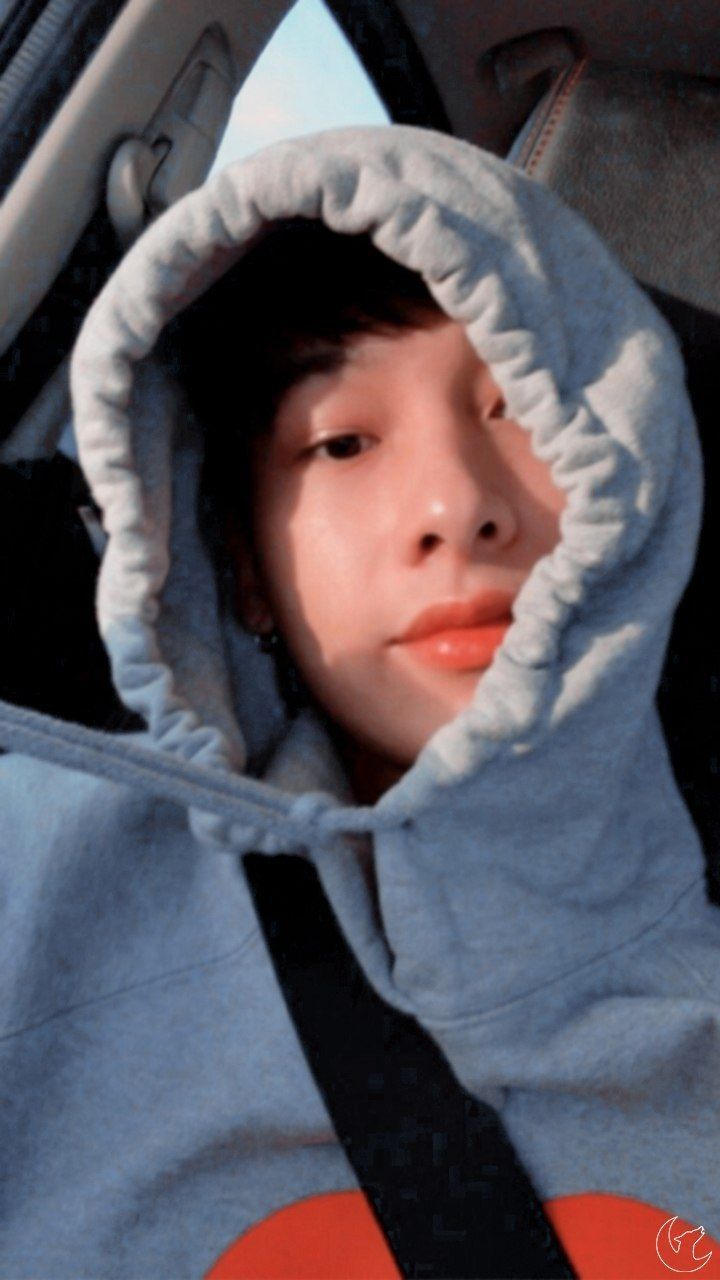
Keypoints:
pixel 288 309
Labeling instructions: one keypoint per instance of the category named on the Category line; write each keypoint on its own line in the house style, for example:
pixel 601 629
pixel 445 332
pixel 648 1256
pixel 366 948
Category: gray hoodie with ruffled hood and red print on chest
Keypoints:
pixel 541 903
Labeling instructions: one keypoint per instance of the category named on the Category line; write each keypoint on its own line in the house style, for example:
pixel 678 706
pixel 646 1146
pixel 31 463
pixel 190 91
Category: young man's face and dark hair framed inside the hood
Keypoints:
pixel 439 525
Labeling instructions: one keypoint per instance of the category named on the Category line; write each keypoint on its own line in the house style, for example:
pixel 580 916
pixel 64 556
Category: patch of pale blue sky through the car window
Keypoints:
pixel 307 79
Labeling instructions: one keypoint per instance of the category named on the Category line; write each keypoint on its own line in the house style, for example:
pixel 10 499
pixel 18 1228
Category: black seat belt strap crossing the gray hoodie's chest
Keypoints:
pixel 435 1164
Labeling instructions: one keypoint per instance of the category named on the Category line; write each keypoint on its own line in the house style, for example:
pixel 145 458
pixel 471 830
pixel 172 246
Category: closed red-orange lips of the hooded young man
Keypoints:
pixel 459 636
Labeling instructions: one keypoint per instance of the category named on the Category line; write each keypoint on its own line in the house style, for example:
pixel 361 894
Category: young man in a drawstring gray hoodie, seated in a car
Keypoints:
pixel 471 528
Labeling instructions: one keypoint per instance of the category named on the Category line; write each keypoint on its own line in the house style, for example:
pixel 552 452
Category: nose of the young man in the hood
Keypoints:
pixel 457 500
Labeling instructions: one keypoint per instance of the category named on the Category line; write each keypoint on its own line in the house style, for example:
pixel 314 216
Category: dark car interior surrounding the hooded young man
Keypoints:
pixel 113 109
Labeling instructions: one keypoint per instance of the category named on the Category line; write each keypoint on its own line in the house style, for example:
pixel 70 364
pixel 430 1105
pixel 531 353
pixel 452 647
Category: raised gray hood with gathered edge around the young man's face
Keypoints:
pixel 559 761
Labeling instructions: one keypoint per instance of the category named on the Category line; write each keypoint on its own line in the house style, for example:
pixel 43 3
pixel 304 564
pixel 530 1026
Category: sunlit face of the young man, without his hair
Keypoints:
pixel 388 490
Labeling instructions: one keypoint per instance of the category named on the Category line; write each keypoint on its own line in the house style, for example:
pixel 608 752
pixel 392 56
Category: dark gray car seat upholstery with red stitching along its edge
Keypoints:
pixel 639 154
